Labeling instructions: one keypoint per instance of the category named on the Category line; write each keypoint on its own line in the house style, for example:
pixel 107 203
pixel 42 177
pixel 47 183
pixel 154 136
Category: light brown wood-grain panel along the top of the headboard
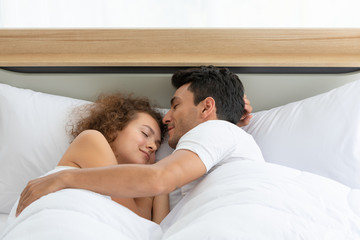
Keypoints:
pixel 181 47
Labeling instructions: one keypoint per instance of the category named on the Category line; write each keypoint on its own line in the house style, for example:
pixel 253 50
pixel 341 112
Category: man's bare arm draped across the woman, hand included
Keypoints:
pixel 126 180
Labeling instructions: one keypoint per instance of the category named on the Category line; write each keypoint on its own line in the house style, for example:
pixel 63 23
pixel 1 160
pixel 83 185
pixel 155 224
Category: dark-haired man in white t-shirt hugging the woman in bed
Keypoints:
pixel 206 106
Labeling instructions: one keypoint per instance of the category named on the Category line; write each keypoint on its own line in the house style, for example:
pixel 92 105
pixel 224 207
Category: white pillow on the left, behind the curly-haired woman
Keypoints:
pixel 32 137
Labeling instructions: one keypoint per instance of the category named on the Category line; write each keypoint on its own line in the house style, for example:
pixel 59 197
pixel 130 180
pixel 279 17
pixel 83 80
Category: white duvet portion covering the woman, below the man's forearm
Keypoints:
pixel 78 214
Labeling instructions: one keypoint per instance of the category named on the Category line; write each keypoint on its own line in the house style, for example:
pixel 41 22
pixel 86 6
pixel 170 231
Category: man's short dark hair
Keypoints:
pixel 219 83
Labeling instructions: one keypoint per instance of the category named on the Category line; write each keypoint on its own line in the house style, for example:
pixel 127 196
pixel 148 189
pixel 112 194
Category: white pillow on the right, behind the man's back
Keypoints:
pixel 320 134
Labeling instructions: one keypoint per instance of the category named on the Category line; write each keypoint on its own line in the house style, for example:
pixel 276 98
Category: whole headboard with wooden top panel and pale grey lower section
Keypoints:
pixel 268 61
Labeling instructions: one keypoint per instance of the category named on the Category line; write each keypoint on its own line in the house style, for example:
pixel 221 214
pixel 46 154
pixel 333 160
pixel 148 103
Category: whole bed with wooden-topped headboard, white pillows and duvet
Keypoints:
pixel 304 86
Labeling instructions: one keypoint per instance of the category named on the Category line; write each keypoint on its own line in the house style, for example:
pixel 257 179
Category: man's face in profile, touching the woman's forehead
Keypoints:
pixel 183 114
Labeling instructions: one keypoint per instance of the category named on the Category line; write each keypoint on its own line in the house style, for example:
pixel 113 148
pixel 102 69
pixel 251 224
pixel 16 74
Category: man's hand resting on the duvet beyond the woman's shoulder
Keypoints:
pixel 37 188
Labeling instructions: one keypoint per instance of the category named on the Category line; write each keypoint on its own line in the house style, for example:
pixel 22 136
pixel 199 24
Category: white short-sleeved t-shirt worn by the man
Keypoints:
pixel 218 142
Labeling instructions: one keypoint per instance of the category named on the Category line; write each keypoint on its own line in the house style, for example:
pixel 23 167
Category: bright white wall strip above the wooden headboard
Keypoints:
pixel 179 14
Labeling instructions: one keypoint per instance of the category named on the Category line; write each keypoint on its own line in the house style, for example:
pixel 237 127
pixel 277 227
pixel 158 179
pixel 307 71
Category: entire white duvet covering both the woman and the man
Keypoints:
pixel 243 200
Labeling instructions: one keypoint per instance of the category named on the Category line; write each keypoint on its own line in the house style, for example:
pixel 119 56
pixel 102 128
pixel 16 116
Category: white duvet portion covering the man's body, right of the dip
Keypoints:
pixel 249 200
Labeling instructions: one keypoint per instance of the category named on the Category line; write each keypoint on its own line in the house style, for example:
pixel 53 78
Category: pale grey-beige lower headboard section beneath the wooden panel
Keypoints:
pixel 264 90
